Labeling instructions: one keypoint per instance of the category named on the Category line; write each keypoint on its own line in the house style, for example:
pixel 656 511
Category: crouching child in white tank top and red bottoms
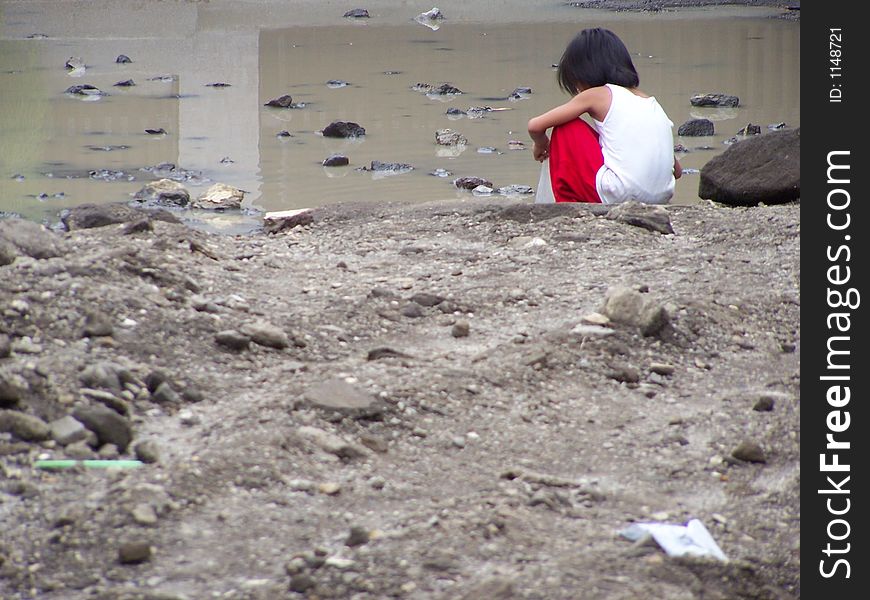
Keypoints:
pixel 629 155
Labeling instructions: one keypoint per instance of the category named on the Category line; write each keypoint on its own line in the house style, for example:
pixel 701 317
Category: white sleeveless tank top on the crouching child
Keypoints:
pixel 637 142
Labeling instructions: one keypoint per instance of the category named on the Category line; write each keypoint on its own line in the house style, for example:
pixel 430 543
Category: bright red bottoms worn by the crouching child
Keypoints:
pixel 575 158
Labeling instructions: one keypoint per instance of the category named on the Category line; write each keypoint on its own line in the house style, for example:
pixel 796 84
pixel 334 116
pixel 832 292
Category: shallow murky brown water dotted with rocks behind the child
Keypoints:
pixel 51 141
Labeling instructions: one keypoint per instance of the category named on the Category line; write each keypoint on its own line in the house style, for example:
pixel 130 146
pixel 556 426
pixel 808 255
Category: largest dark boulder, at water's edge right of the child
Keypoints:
pixel 765 168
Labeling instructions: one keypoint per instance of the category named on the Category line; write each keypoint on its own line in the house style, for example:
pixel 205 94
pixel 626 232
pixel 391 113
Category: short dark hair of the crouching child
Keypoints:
pixel 593 58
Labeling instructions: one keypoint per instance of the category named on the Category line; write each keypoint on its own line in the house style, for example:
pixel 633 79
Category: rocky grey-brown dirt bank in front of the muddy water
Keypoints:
pixel 403 402
